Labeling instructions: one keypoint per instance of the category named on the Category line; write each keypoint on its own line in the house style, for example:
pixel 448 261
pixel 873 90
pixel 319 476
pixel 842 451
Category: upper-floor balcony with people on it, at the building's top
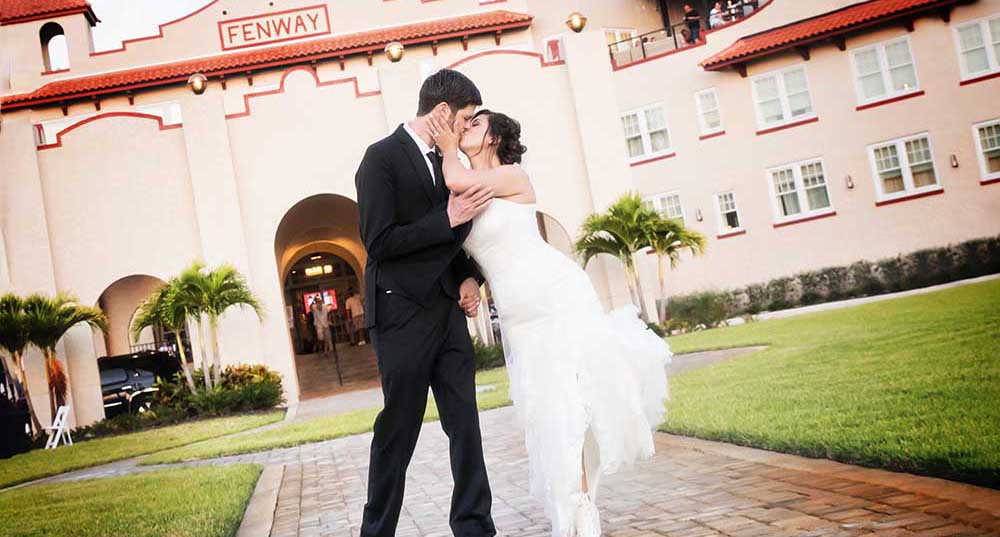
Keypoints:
pixel 676 36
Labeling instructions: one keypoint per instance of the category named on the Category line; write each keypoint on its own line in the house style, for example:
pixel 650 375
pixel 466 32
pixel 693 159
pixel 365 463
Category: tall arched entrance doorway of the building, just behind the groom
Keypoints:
pixel 318 252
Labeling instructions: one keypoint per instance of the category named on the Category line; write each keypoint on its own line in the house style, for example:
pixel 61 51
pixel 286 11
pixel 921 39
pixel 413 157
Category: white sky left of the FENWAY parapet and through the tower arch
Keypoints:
pixel 128 19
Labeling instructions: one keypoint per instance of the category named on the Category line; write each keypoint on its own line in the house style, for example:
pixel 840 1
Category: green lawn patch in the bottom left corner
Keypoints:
pixel 190 502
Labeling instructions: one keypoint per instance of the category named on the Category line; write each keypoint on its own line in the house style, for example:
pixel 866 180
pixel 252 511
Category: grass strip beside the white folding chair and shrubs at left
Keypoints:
pixel 42 463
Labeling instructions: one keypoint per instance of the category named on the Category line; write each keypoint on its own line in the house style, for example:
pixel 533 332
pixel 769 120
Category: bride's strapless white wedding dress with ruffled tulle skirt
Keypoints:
pixel 582 380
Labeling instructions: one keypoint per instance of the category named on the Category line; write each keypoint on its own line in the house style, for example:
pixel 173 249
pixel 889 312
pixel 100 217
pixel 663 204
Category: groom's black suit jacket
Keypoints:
pixel 412 248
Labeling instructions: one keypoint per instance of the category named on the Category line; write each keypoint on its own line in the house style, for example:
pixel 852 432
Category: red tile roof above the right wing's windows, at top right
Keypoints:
pixel 827 25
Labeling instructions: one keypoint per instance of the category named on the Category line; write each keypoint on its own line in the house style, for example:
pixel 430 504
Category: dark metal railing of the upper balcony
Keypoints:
pixel 678 36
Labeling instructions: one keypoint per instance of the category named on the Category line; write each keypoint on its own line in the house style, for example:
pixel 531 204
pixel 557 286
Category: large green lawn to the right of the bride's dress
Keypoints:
pixel 909 384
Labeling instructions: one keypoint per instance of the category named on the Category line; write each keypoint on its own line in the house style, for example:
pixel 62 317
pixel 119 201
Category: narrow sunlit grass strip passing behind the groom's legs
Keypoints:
pixel 320 429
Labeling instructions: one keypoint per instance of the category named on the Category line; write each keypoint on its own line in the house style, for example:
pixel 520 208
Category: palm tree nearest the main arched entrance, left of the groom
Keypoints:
pixel 211 294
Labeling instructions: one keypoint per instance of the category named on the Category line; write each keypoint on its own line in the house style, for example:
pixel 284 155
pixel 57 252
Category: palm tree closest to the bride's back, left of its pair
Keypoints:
pixel 621 232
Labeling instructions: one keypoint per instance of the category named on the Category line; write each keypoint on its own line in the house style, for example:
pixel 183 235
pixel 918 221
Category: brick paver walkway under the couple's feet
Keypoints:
pixel 691 488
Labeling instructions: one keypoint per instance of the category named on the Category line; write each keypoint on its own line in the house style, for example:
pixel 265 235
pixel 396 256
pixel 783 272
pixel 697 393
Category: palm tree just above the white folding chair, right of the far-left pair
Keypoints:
pixel 48 320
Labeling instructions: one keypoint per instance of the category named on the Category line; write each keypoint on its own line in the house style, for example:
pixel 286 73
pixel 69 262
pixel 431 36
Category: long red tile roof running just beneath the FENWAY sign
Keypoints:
pixel 332 47
